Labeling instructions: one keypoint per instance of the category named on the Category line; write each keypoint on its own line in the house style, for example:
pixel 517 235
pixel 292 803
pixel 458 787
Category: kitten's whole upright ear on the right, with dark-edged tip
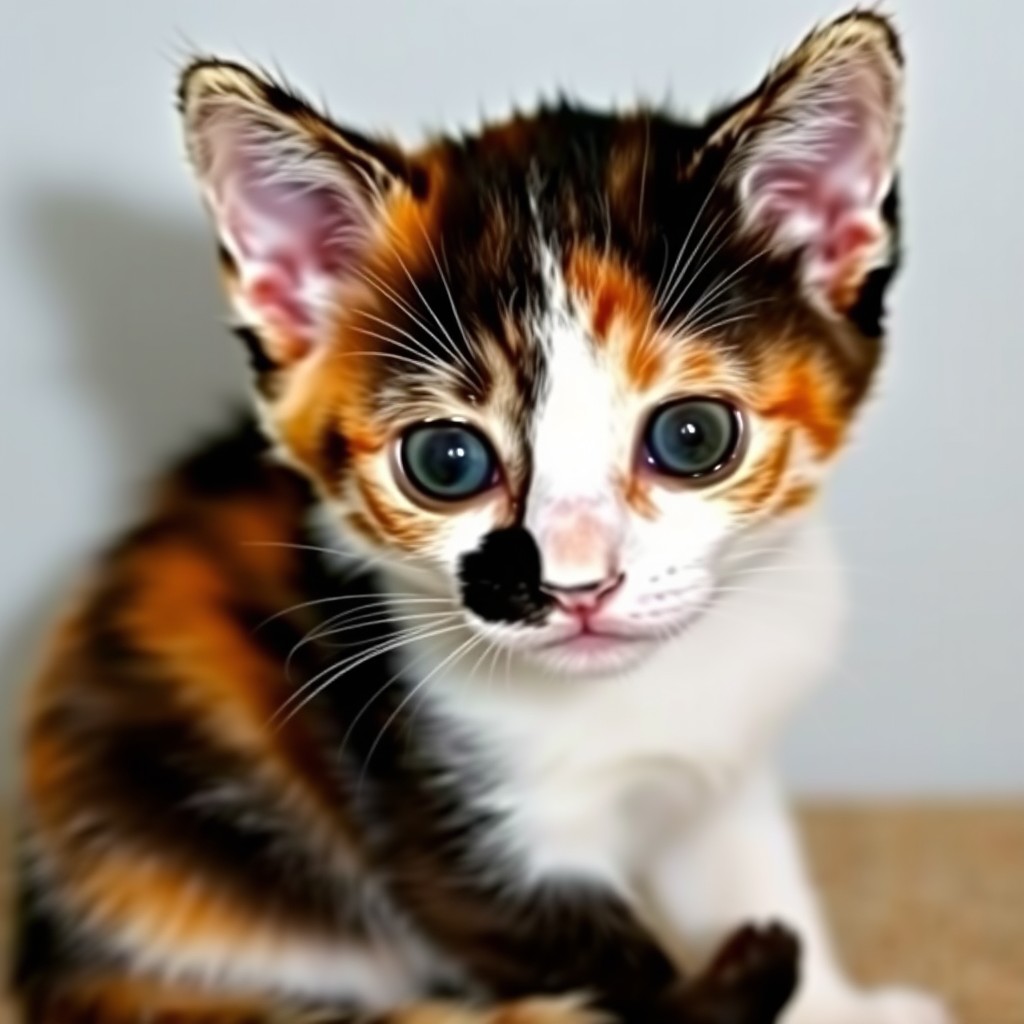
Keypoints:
pixel 815 155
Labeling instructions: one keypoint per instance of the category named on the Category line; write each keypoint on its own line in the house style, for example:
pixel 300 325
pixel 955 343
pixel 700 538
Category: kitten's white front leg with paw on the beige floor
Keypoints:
pixel 746 864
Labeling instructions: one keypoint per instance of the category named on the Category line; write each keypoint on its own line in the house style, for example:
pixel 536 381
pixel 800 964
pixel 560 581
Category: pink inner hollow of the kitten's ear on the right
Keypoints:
pixel 817 186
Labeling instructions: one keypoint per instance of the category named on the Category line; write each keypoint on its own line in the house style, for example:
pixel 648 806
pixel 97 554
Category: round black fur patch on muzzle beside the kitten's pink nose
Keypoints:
pixel 501 581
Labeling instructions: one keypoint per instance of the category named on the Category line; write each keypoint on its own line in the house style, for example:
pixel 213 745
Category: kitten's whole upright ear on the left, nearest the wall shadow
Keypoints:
pixel 296 201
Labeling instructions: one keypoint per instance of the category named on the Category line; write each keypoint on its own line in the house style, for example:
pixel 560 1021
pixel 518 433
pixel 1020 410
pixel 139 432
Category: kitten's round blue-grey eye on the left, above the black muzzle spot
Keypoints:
pixel 447 461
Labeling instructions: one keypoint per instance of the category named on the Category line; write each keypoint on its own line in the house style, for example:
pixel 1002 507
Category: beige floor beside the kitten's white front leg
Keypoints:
pixel 929 895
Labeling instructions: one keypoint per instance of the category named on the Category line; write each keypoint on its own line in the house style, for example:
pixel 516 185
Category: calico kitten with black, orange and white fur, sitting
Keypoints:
pixel 449 695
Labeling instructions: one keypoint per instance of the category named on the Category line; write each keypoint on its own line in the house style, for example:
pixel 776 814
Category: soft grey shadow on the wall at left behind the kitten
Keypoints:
pixel 144 342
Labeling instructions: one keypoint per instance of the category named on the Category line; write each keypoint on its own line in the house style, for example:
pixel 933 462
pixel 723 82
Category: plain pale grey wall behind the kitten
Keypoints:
pixel 113 356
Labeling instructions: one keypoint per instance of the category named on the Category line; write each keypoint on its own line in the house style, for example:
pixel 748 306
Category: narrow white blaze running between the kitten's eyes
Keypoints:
pixel 575 444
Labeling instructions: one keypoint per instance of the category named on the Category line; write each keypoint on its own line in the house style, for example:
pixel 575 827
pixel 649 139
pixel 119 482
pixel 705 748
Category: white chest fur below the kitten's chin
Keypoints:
pixel 594 773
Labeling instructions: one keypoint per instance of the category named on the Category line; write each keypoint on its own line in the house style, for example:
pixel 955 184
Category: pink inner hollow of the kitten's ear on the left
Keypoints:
pixel 293 227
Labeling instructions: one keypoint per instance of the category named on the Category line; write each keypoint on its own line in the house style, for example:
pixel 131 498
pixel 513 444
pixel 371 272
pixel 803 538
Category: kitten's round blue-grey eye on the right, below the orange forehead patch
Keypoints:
pixel 693 439
